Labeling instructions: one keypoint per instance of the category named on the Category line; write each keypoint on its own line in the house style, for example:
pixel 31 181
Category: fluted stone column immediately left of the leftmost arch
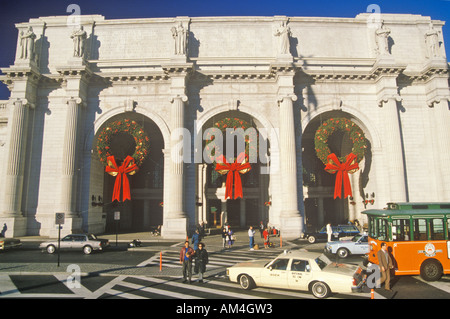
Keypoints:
pixel 69 156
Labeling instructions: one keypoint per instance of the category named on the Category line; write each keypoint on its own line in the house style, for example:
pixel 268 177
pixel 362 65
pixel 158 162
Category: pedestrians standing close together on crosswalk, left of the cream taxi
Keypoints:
pixel 189 254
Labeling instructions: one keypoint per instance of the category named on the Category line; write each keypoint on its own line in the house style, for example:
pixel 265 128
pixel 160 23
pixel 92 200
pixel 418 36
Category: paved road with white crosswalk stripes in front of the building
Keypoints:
pixel 136 274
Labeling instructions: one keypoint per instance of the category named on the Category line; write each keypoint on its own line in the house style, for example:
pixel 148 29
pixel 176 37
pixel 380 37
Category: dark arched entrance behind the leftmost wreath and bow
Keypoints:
pixel 145 209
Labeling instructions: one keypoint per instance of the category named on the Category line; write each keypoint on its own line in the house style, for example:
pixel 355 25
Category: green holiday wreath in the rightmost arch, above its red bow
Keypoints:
pixel 339 124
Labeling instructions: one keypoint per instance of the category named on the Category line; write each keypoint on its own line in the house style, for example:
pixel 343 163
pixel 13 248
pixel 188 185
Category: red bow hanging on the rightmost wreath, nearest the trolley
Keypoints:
pixel 342 170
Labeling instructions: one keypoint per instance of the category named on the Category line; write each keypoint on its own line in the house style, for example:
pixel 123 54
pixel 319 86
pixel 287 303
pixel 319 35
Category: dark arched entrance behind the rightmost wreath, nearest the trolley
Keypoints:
pixel 318 185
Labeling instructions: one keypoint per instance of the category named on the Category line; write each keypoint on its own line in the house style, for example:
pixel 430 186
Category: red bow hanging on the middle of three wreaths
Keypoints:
pixel 240 166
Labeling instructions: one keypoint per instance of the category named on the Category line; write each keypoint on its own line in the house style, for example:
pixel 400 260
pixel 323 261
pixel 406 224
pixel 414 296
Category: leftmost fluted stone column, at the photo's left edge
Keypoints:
pixel 15 160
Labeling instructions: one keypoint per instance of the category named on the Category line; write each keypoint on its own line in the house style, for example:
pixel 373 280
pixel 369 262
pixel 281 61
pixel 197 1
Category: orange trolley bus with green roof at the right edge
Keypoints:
pixel 417 236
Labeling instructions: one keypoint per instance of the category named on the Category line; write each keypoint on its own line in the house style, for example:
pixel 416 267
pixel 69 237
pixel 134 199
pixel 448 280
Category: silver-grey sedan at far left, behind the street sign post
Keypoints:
pixel 85 242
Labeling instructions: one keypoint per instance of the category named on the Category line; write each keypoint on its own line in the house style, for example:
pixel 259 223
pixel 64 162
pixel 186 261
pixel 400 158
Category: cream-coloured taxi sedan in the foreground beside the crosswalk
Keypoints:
pixel 299 270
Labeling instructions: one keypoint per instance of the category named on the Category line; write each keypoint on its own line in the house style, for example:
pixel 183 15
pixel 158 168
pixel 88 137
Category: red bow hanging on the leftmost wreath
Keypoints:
pixel 128 167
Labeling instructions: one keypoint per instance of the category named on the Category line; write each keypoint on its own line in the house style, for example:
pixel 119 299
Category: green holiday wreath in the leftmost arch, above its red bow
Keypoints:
pixel 123 126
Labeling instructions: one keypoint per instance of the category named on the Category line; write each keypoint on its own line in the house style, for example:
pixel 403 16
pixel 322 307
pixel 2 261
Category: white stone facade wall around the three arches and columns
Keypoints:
pixel 235 59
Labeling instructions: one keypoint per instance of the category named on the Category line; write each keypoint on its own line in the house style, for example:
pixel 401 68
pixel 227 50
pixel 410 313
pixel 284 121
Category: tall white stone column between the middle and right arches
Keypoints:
pixel 290 218
